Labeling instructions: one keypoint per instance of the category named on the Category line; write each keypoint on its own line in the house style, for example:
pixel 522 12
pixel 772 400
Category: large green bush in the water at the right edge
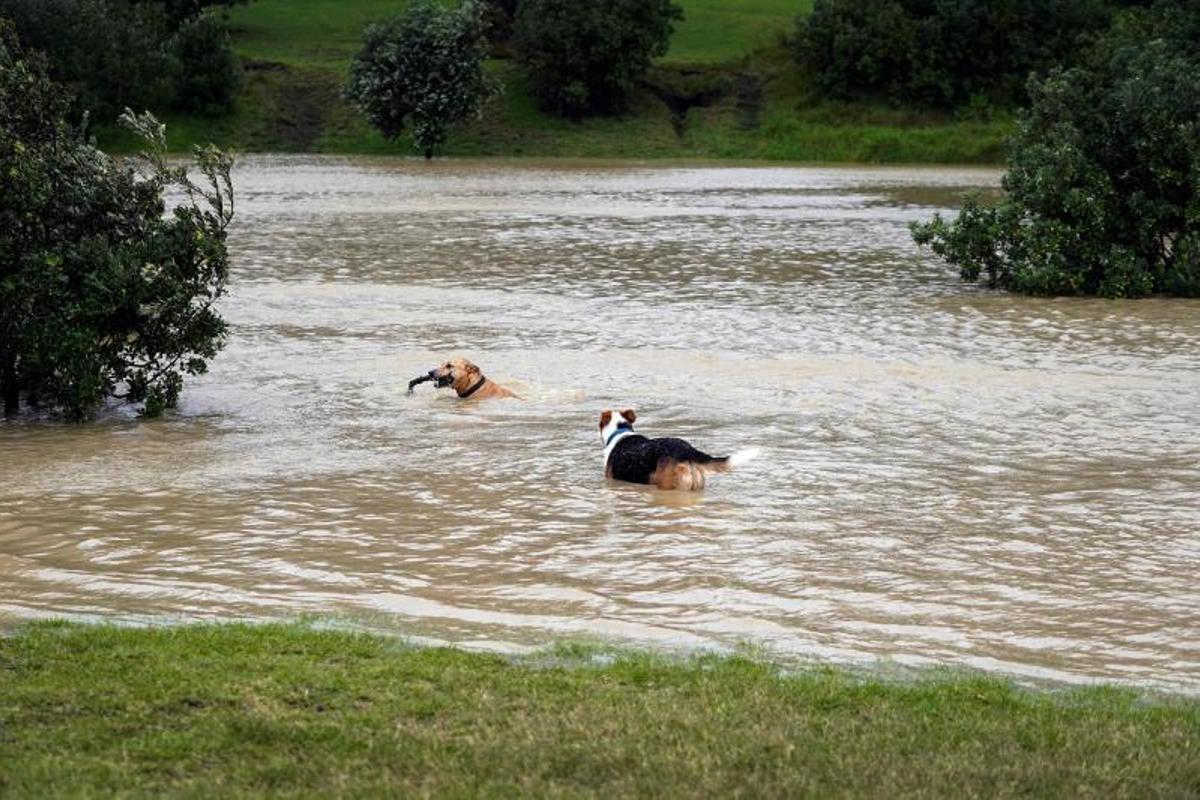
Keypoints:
pixel 1103 184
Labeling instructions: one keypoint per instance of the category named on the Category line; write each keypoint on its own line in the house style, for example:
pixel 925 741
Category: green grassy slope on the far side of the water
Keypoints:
pixel 297 52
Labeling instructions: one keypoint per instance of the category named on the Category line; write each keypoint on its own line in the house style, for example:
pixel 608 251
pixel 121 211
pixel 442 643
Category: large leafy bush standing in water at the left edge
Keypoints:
pixel 101 294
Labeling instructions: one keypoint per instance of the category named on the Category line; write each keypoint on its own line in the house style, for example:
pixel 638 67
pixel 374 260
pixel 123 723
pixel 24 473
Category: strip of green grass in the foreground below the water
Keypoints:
pixel 290 711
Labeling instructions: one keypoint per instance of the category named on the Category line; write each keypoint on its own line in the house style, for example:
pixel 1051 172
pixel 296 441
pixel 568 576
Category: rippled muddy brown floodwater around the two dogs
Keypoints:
pixel 951 477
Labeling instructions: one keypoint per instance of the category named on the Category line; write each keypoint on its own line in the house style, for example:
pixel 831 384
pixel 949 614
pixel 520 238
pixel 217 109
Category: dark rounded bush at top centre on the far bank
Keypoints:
pixel 585 58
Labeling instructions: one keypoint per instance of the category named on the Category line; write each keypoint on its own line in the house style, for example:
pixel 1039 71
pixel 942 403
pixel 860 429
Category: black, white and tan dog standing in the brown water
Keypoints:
pixel 667 464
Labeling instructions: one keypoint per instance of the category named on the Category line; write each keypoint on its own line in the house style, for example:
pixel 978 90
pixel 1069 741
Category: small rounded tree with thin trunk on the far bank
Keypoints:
pixel 423 70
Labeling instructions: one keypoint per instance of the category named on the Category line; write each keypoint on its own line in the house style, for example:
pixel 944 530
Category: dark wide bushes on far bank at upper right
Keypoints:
pixel 941 53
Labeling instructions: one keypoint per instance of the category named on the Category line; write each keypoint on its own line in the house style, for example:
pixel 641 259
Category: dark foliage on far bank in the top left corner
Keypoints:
pixel 116 55
